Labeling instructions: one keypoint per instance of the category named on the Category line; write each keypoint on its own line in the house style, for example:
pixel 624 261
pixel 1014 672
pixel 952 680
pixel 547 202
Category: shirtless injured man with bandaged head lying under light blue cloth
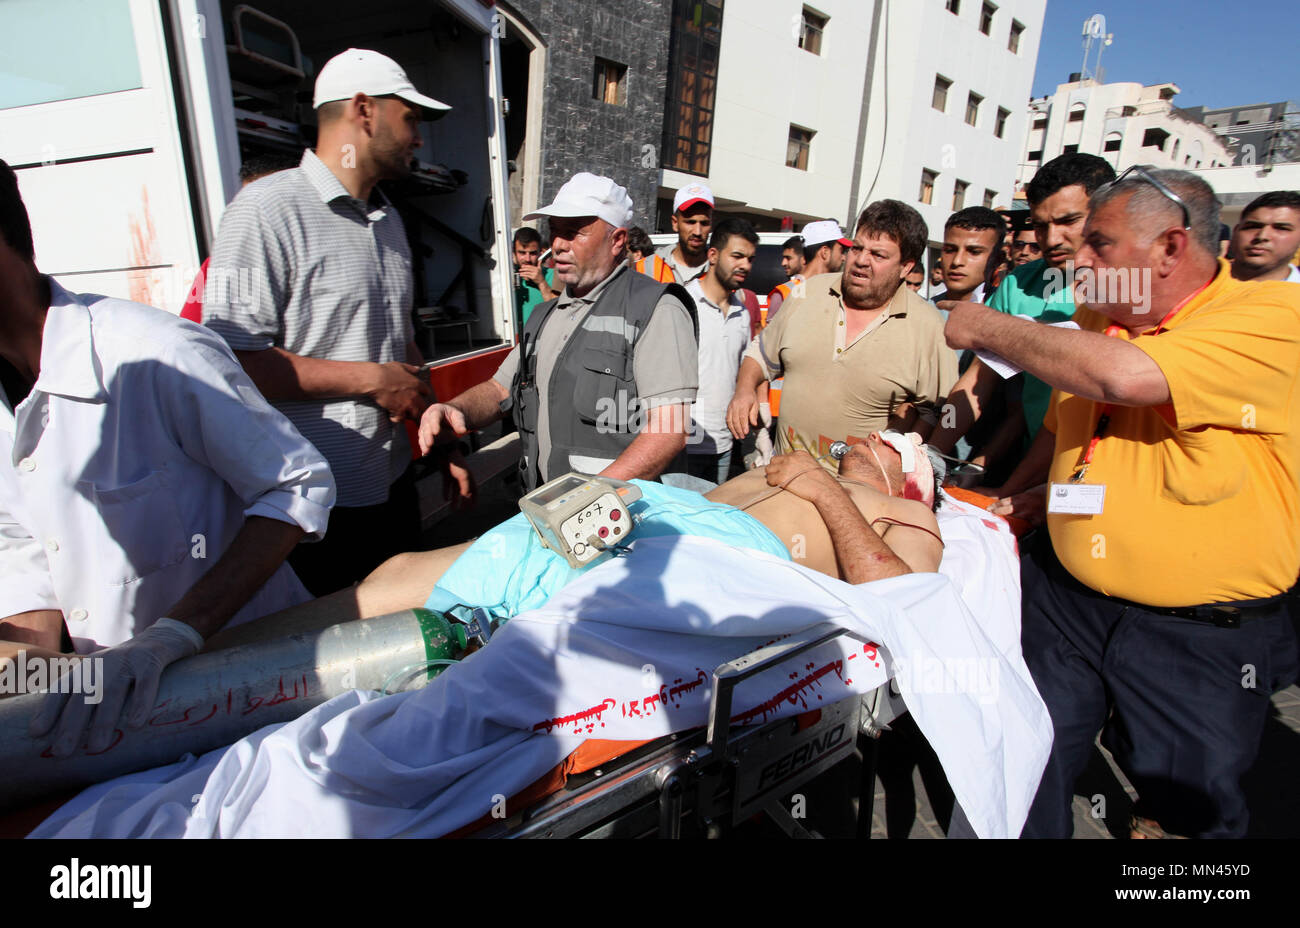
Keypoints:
pixel 874 521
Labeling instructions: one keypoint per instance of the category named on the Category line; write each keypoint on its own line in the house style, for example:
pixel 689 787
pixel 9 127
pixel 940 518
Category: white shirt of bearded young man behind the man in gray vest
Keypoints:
pixel 723 339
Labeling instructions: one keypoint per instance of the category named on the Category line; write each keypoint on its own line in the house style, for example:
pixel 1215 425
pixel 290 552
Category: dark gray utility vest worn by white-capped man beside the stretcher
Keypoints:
pixel 593 402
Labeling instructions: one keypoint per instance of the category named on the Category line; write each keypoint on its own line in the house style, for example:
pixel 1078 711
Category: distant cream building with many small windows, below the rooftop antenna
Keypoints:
pixel 1126 124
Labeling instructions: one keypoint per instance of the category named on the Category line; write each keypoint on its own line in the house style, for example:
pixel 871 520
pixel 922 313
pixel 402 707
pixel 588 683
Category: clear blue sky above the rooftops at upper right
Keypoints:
pixel 1221 54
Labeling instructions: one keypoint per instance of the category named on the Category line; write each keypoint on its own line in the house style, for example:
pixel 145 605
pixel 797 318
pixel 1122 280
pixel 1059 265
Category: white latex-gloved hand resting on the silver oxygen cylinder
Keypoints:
pixel 133 667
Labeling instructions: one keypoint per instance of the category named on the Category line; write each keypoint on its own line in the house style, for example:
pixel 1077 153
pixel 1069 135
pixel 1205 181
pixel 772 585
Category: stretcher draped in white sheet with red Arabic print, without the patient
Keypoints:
pixel 523 717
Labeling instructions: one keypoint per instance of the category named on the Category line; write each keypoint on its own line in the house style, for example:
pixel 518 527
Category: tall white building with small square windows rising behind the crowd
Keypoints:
pixel 800 112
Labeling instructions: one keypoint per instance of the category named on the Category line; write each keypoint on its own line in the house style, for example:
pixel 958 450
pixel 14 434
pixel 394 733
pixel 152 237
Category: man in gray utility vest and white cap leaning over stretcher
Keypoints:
pixel 604 375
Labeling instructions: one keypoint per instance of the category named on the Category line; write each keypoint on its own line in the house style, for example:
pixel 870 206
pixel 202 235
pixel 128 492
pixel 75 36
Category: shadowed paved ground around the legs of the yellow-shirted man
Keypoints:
pixel 1272 787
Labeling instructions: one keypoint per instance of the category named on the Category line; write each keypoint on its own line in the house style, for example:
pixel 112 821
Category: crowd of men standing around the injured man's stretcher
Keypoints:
pixel 1129 393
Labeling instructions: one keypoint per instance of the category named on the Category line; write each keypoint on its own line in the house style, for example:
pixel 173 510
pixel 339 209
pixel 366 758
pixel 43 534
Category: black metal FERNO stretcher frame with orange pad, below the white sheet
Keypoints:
pixel 712 780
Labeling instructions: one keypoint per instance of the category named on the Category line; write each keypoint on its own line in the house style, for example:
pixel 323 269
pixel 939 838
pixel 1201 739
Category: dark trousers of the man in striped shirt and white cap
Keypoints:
pixel 359 539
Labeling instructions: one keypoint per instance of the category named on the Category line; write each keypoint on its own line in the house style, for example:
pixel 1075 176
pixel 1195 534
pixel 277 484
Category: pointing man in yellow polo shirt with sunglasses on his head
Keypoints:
pixel 1158 609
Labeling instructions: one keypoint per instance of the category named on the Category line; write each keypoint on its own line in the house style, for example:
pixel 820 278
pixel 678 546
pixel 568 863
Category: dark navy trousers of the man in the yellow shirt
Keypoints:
pixel 1184 702
